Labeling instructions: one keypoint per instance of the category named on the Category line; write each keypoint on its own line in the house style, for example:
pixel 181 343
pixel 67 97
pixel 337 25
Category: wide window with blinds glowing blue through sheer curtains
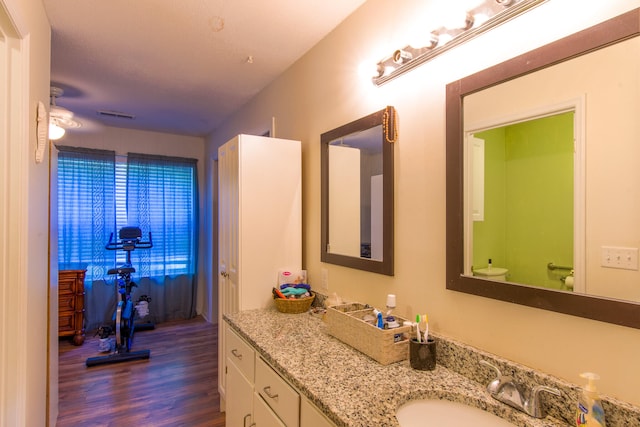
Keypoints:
pixel 100 192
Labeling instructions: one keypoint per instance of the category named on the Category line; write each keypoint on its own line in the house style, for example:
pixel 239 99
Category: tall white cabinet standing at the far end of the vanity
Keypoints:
pixel 259 228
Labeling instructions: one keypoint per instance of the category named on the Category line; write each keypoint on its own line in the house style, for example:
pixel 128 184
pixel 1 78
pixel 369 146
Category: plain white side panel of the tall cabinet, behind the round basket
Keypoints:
pixel 270 212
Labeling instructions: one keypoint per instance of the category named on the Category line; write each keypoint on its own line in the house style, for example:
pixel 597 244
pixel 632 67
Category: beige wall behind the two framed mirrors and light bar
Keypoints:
pixel 323 90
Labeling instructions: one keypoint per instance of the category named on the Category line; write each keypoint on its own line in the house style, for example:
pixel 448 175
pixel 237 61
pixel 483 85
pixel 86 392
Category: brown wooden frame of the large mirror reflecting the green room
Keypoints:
pixel 626 313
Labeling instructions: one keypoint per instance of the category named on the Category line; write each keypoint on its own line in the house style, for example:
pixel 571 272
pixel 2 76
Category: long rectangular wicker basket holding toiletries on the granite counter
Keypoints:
pixel 382 345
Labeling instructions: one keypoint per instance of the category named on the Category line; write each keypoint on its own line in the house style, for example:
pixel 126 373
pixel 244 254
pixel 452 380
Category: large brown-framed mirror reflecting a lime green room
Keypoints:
pixel 560 235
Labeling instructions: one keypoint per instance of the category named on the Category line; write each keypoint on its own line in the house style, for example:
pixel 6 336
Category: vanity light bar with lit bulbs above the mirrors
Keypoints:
pixel 408 58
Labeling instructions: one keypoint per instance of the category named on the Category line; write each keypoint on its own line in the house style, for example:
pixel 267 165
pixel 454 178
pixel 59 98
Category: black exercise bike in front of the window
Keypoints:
pixel 126 311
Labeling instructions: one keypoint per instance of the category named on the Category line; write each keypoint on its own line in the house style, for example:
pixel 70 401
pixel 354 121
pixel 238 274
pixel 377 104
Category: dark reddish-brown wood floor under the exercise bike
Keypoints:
pixel 177 386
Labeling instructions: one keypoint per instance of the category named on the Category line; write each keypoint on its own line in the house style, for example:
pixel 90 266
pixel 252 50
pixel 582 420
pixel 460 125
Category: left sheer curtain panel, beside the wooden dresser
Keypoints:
pixel 86 218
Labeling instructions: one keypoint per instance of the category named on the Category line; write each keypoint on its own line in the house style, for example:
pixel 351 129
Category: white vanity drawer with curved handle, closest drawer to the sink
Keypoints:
pixel 278 394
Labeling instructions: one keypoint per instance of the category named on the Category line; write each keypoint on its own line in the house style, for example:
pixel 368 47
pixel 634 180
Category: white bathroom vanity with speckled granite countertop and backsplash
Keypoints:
pixel 338 385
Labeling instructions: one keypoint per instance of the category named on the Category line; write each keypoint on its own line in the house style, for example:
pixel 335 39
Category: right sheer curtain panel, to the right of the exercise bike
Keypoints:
pixel 162 199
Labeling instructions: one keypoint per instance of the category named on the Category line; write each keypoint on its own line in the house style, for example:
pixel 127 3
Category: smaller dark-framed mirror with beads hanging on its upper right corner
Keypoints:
pixel 357 193
